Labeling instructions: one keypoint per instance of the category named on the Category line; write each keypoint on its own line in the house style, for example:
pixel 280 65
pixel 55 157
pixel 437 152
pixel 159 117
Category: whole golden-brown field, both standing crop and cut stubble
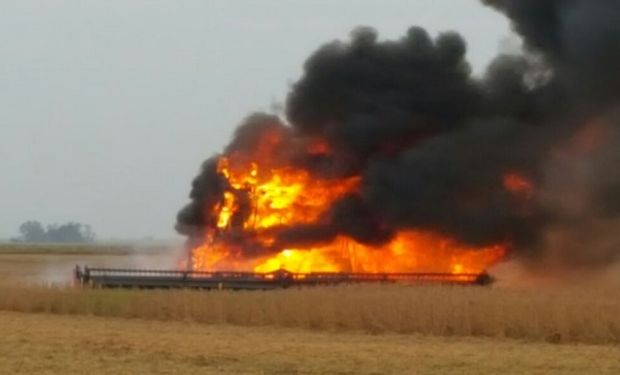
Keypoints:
pixel 342 330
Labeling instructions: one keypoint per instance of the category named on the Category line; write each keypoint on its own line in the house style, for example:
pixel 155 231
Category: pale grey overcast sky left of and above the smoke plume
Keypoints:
pixel 107 108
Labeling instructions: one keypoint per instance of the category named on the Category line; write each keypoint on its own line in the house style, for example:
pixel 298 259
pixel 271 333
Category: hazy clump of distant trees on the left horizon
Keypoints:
pixel 33 231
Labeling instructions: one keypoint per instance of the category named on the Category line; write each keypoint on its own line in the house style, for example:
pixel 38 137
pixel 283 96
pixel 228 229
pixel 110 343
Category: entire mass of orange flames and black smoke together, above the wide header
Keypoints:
pixel 394 158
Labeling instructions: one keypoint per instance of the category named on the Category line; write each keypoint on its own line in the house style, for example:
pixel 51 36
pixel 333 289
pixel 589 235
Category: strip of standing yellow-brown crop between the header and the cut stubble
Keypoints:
pixel 556 316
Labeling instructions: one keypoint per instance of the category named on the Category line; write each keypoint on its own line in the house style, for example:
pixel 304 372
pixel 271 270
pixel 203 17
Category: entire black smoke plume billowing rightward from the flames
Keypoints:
pixel 433 143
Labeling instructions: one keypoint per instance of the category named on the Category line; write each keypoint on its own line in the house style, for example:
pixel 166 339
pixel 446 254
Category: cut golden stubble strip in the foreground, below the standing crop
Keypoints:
pixel 49 344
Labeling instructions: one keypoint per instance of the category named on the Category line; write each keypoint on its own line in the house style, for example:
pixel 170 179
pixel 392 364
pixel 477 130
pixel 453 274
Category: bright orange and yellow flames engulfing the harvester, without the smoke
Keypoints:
pixel 273 195
